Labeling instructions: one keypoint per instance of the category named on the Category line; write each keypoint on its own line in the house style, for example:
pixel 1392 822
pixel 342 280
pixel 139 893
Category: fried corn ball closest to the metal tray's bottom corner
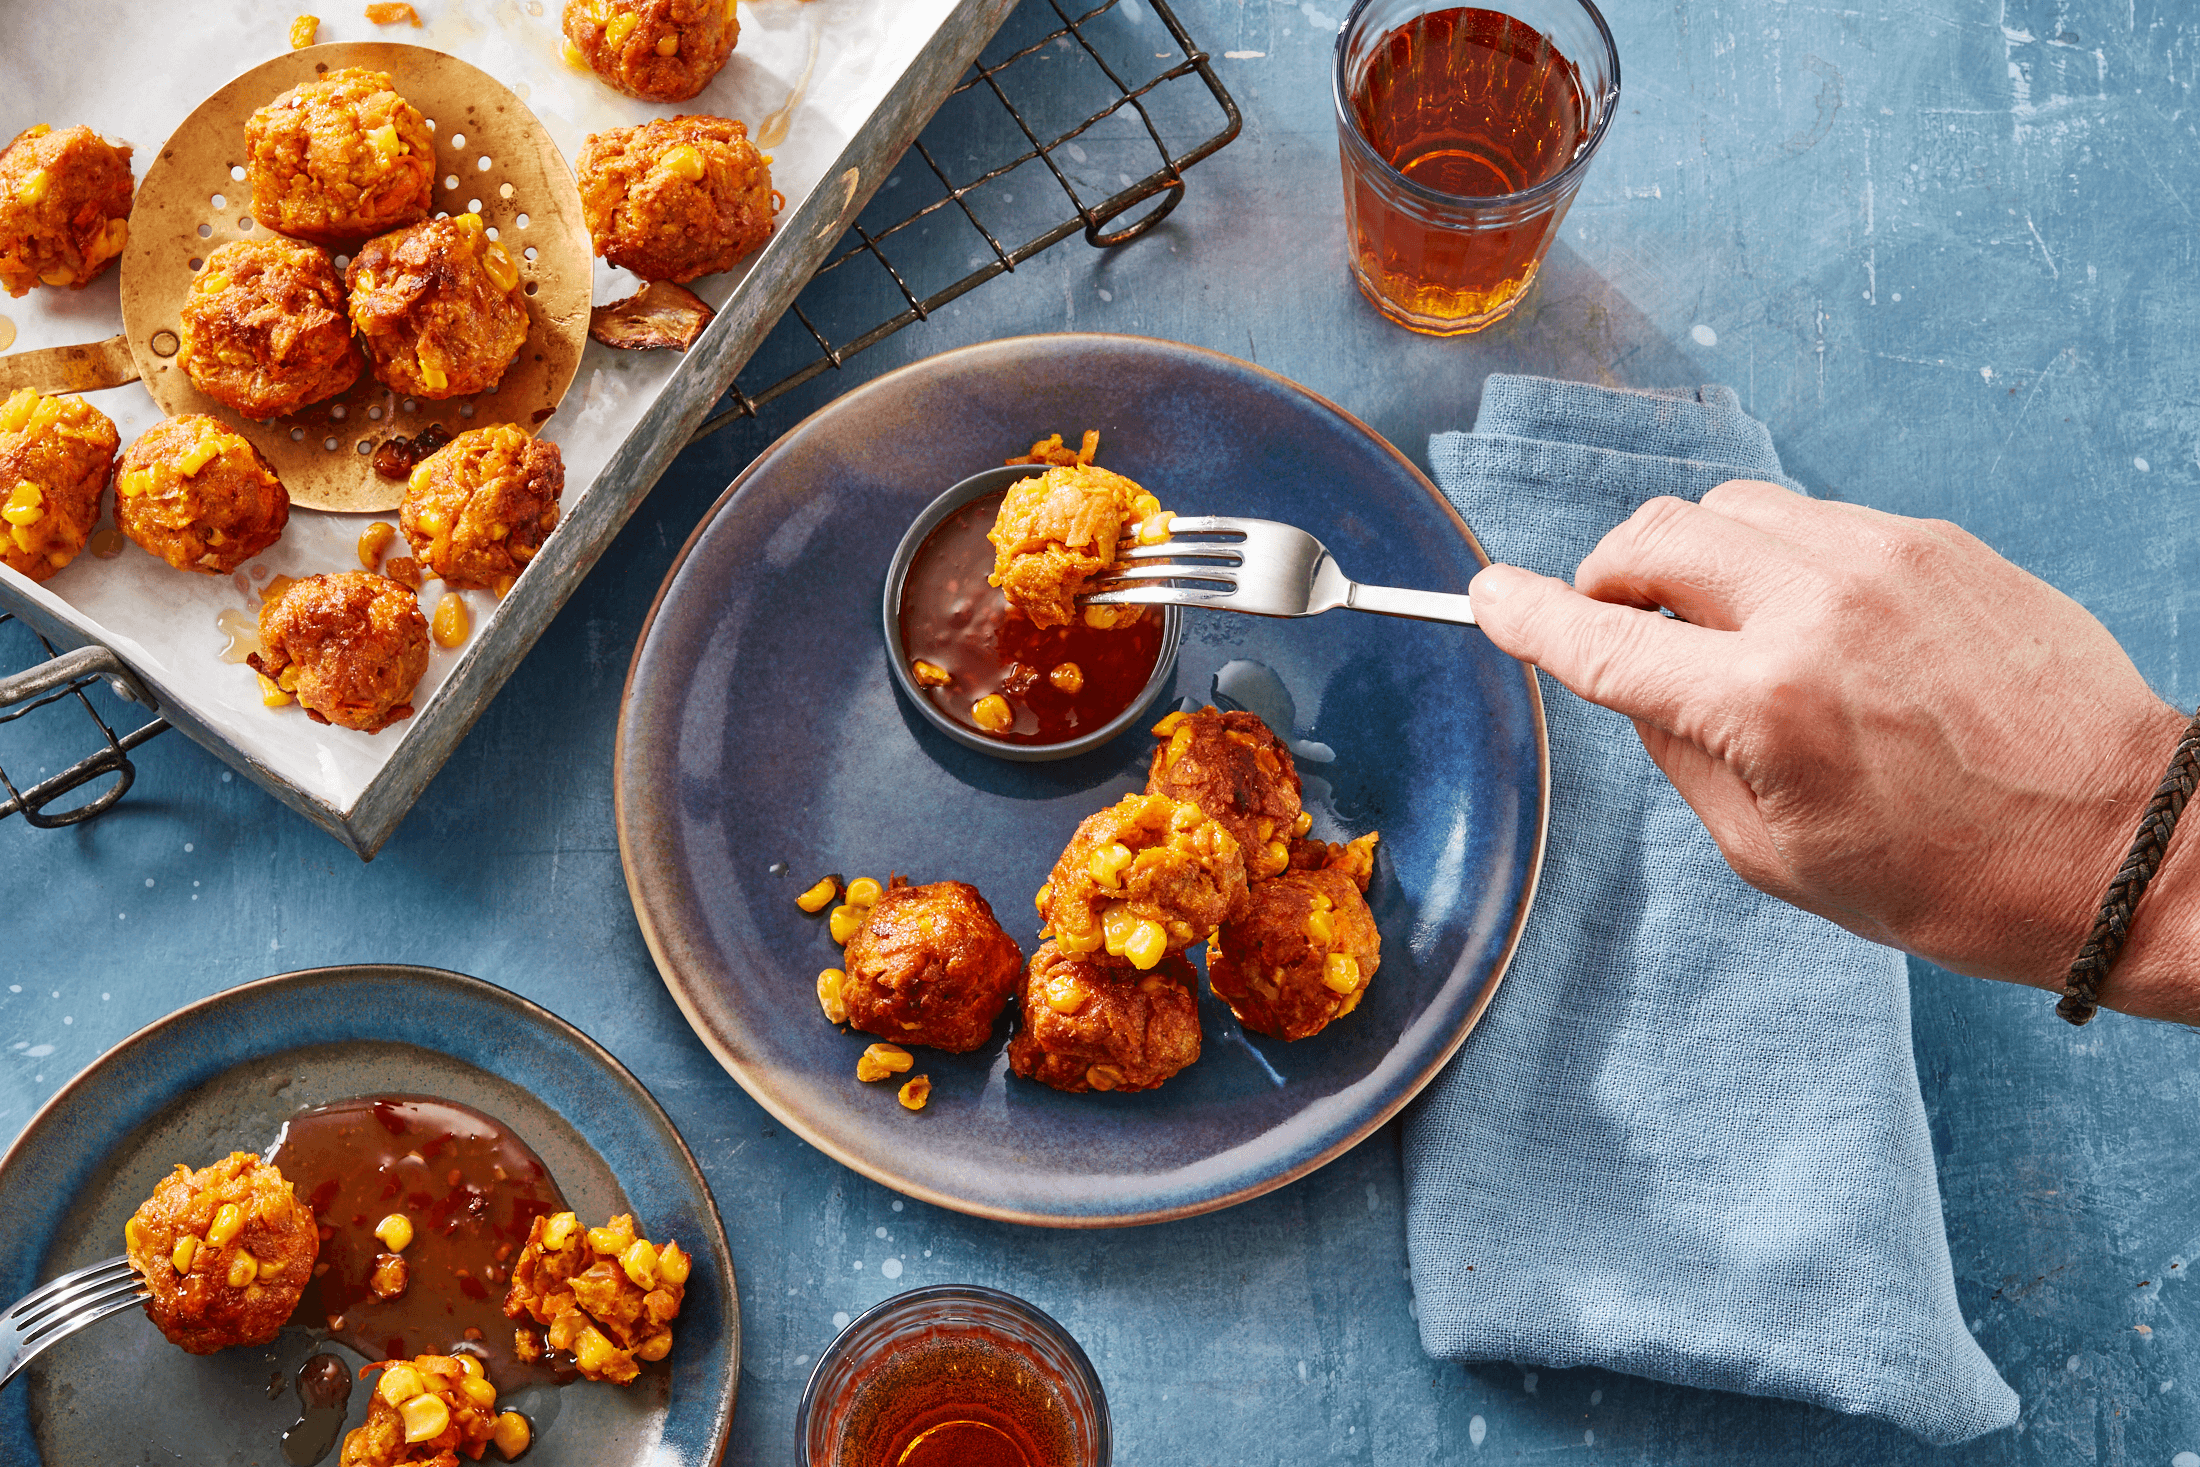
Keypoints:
pixel 351 648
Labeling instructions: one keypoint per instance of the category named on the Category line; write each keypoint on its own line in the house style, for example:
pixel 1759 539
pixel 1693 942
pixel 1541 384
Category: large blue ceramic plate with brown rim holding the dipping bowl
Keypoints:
pixel 762 744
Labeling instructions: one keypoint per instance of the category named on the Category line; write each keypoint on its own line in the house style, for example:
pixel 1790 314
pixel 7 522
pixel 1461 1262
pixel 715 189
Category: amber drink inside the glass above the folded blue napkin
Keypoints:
pixel 1477 107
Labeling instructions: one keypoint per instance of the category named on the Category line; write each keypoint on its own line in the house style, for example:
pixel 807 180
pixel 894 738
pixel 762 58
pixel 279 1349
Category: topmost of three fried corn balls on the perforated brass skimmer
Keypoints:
pixel 340 159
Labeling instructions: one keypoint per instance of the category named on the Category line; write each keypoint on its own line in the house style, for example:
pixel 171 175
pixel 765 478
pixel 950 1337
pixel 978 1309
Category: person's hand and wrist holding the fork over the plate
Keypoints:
pixel 1882 723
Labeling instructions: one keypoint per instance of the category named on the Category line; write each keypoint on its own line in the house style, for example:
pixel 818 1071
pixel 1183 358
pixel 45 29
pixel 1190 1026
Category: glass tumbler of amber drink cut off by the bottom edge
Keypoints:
pixel 954 1374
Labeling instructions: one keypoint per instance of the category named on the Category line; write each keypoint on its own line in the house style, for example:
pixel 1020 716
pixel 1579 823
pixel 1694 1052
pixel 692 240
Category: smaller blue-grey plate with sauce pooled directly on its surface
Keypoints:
pixel 221 1077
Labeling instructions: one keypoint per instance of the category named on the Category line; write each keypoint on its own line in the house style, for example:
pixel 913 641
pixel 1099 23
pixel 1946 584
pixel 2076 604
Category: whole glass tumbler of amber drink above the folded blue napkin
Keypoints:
pixel 1466 133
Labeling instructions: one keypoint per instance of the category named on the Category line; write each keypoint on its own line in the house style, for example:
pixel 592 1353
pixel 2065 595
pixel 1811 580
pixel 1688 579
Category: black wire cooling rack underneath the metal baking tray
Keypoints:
pixel 1068 124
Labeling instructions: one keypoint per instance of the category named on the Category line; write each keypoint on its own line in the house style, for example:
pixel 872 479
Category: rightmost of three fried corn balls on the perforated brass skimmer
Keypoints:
pixel 441 307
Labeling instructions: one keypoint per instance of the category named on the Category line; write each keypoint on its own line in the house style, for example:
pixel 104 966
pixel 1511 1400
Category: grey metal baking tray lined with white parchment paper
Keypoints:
pixel 859 80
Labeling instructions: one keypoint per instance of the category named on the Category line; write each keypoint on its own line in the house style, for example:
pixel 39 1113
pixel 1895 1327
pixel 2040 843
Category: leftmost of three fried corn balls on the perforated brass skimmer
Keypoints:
pixel 265 331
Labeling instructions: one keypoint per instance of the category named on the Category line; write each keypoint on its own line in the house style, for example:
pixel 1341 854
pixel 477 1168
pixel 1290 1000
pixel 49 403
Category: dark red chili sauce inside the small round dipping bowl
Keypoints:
pixel 967 628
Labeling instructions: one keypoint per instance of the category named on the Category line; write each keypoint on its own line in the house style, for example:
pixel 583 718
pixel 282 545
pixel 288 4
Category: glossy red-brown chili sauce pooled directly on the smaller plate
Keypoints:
pixel 470 1189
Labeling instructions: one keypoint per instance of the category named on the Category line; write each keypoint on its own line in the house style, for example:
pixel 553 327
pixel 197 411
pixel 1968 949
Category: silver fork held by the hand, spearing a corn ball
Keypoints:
pixel 1266 569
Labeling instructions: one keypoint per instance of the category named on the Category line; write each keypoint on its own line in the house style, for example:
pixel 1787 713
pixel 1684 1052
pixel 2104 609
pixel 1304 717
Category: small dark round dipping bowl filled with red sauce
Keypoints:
pixel 1119 679
